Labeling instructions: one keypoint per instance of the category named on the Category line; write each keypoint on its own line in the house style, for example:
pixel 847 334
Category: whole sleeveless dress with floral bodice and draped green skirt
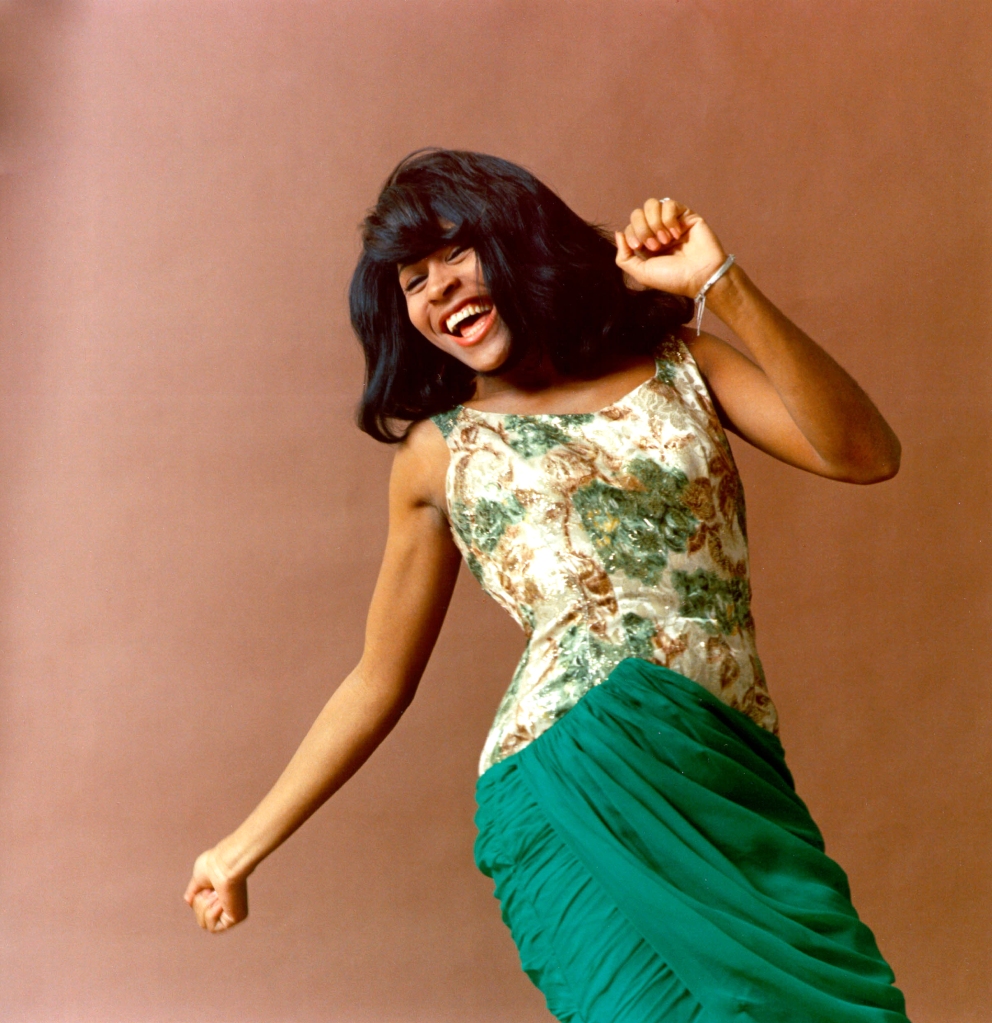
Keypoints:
pixel 651 856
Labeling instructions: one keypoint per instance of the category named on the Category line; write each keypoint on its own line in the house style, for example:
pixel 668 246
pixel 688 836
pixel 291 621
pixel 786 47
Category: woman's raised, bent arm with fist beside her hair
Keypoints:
pixel 794 402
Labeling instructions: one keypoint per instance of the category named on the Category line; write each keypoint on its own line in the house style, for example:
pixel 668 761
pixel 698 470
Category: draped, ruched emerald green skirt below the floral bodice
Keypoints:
pixel 655 866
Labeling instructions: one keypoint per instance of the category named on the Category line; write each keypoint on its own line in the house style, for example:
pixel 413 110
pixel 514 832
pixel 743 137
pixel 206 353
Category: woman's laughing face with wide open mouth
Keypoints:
pixel 448 303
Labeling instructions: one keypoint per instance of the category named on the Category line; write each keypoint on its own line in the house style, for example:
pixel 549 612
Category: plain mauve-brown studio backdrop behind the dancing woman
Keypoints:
pixel 192 525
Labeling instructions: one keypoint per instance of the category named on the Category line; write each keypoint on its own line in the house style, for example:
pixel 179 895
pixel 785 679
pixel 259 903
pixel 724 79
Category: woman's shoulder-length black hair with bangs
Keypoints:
pixel 553 279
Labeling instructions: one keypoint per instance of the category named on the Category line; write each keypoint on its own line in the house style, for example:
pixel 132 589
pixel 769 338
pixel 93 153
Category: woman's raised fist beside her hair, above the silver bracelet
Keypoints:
pixel 668 247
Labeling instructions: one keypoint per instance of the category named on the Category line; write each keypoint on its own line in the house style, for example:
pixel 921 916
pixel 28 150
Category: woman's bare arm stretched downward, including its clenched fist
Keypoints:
pixel 415 587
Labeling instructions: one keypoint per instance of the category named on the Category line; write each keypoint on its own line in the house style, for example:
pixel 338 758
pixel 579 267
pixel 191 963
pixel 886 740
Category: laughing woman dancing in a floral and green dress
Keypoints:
pixel 563 431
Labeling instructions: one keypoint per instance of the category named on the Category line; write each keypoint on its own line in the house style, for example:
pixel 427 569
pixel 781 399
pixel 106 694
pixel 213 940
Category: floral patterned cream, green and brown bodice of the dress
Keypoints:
pixel 607 536
